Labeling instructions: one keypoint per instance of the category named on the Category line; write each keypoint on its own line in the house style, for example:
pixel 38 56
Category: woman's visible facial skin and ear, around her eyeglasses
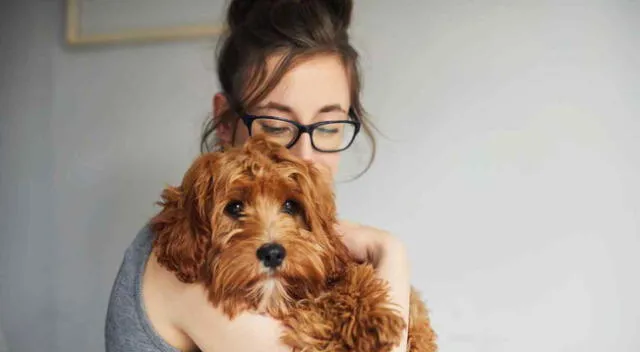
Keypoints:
pixel 316 89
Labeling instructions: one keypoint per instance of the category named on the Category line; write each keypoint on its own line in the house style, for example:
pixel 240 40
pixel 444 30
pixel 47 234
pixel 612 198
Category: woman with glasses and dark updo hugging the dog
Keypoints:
pixel 292 61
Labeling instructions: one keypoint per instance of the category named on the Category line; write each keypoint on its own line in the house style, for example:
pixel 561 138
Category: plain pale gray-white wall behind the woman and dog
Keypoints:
pixel 511 156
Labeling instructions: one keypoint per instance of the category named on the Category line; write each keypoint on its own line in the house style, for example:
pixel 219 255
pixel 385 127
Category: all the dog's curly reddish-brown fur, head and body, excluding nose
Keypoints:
pixel 327 301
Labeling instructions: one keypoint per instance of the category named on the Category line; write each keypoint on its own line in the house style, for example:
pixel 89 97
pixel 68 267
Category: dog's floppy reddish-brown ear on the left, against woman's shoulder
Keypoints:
pixel 183 228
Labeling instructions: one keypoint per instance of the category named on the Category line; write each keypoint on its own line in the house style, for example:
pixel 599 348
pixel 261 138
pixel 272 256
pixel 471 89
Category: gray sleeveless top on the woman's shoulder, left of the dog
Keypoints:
pixel 127 325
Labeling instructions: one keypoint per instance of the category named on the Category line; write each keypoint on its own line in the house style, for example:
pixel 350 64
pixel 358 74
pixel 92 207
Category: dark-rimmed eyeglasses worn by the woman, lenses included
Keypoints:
pixel 326 136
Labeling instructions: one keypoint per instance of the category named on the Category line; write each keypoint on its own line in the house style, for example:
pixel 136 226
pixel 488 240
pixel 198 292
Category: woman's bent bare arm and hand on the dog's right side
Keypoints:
pixel 388 255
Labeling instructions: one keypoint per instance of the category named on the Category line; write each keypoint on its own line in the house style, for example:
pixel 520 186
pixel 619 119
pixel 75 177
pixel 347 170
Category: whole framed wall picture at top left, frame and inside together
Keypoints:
pixel 79 14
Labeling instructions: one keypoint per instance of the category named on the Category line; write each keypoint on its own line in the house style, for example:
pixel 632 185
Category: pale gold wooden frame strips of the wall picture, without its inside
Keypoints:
pixel 75 36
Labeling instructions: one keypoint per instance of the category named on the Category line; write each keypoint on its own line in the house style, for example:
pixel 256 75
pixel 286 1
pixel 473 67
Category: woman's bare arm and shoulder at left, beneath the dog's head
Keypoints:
pixel 184 317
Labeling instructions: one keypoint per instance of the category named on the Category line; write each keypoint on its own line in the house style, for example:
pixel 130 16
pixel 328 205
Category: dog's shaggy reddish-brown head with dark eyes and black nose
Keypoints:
pixel 254 224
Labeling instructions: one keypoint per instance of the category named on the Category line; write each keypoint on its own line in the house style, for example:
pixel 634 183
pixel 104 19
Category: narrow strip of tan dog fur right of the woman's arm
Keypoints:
pixel 422 338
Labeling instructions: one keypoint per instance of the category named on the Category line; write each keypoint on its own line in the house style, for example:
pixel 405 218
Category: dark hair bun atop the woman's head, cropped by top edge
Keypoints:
pixel 241 12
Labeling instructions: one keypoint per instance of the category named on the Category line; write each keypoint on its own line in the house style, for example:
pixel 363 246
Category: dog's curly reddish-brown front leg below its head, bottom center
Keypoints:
pixel 354 315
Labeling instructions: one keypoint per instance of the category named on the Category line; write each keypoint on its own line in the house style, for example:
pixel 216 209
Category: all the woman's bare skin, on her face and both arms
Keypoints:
pixel 181 314
